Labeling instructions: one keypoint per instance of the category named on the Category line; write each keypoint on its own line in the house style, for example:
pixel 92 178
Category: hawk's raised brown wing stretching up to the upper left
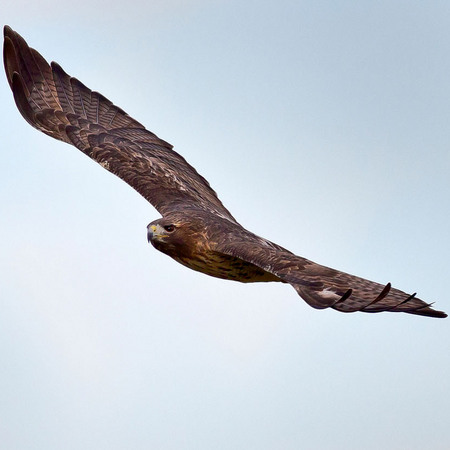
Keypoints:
pixel 62 107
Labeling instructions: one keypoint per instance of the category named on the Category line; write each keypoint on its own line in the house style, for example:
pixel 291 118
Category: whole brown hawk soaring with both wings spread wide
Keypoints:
pixel 196 229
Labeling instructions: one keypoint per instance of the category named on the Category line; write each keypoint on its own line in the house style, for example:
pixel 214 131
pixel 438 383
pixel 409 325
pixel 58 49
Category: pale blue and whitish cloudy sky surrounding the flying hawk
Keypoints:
pixel 323 126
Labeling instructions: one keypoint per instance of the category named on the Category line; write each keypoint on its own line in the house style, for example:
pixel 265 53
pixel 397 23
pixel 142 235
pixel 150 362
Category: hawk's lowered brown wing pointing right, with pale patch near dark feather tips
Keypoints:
pixel 323 287
